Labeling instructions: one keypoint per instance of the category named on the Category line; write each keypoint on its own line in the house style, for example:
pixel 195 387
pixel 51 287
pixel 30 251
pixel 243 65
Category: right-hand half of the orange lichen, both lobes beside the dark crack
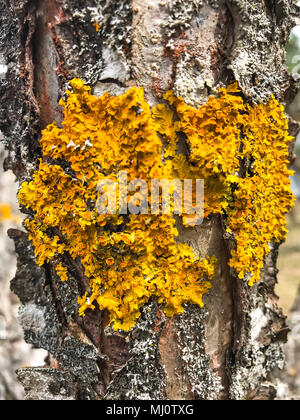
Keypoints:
pixel 224 136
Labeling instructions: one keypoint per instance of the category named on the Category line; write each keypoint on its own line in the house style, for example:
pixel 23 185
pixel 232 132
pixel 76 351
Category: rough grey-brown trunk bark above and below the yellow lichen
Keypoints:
pixel 229 349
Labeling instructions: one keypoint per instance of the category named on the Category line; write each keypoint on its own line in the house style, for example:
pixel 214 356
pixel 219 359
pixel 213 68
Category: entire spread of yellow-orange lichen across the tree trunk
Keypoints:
pixel 131 258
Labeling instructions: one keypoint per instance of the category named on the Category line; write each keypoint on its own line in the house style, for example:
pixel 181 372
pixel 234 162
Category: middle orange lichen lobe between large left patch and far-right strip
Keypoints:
pixel 213 136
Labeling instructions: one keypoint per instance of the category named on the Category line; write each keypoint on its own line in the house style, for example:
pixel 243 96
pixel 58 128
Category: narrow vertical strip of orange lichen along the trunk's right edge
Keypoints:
pixel 263 197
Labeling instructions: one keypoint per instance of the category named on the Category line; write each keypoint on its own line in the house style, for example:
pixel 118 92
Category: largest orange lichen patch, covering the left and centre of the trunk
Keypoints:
pixel 128 260
